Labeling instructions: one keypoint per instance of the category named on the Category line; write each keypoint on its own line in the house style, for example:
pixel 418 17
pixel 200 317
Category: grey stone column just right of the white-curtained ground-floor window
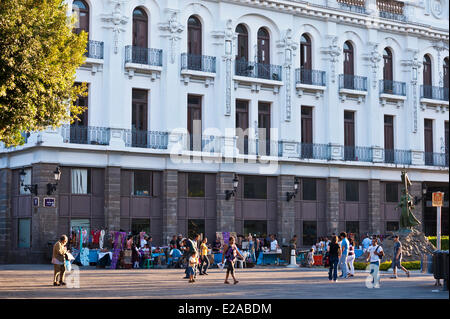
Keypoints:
pixel 112 198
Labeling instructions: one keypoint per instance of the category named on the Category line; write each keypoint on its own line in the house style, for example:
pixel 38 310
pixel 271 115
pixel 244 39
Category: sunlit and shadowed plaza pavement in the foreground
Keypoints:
pixel 35 281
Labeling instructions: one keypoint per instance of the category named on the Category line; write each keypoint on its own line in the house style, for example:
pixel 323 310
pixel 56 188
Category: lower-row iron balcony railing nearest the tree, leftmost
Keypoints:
pixel 80 134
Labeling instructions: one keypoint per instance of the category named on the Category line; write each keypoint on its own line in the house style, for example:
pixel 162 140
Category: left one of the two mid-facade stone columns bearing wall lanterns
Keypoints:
pixel 225 208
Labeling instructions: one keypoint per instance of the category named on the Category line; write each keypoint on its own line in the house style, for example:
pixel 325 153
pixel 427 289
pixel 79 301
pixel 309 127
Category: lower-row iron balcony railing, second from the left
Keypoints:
pixel 146 139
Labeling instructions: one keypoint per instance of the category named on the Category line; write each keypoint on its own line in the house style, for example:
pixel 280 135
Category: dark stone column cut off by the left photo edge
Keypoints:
pixel 5 214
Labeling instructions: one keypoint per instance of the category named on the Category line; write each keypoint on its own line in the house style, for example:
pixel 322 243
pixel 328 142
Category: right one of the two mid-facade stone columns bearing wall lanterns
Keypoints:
pixel 286 210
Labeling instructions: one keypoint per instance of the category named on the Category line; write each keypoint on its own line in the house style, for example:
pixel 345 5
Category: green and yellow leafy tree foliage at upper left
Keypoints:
pixel 39 55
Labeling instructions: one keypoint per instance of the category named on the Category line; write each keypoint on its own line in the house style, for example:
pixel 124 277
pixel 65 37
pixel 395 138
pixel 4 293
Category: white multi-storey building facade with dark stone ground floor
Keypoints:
pixel 188 97
